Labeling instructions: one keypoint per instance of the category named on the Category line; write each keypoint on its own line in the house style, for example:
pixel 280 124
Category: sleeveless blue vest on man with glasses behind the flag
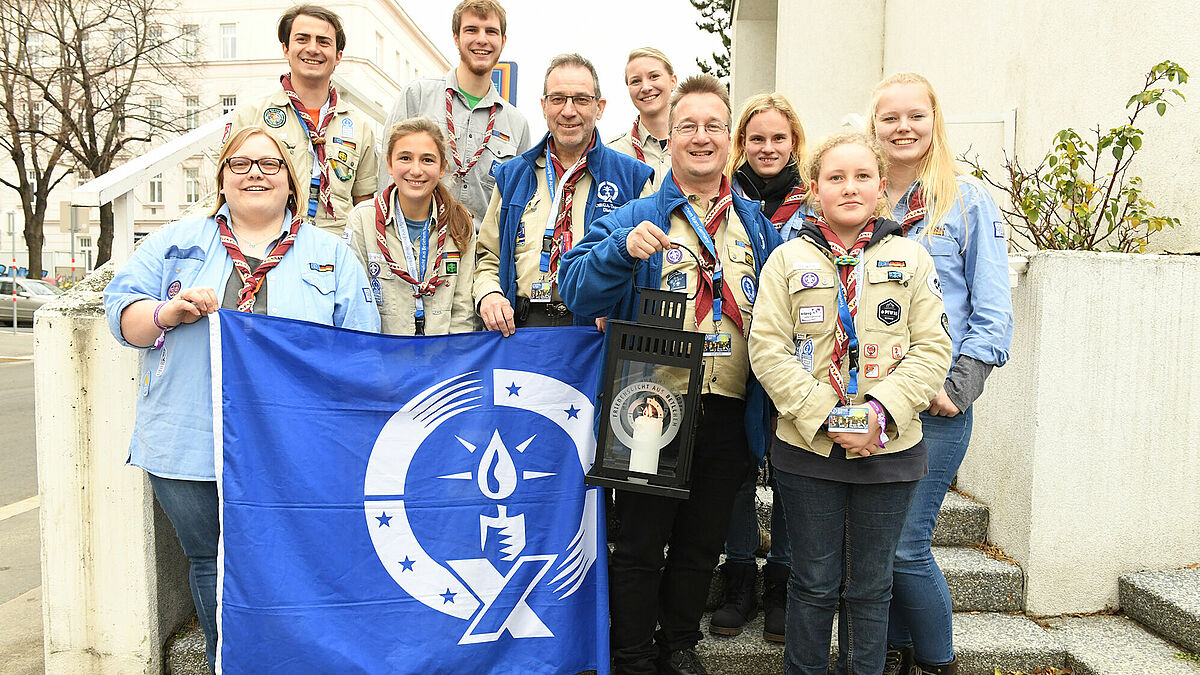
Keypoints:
pixel 616 180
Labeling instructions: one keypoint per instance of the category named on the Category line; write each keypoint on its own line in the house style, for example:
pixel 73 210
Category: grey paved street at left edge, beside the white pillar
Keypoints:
pixel 21 594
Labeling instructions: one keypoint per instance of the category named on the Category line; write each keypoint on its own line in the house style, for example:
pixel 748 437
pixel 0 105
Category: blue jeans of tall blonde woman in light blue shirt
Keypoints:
pixel 922 614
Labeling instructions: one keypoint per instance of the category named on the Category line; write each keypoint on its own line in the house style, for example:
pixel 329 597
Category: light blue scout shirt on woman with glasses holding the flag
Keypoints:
pixel 319 280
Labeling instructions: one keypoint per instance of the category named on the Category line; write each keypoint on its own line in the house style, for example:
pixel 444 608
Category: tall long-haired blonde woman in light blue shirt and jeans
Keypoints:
pixel 955 219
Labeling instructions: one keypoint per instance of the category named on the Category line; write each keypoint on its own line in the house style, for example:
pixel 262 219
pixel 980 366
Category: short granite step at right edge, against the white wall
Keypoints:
pixel 1167 601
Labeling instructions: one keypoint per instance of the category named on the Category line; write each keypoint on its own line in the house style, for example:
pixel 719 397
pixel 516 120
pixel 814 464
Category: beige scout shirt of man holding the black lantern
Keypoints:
pixel 727 375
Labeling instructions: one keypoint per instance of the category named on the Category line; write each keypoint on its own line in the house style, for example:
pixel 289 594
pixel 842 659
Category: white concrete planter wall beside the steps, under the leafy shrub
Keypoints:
pixel 1085 445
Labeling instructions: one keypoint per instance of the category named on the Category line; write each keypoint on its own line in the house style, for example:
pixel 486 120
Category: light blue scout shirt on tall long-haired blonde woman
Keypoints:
pixel 971 256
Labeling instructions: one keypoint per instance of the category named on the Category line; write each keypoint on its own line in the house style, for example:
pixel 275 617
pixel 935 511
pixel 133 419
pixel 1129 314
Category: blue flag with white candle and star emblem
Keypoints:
pixel 407 505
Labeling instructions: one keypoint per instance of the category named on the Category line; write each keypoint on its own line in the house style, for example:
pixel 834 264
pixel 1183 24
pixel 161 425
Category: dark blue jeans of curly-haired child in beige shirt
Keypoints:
pixel 844 537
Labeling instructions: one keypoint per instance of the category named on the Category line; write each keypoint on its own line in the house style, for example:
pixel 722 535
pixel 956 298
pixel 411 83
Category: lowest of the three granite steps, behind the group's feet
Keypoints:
pixel 985 643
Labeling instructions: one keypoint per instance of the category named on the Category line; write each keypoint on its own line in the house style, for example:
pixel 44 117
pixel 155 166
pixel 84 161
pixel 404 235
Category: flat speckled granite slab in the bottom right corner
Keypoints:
pixel 1117 646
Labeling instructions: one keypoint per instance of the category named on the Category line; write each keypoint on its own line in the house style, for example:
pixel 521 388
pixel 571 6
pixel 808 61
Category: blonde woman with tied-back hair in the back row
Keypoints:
pixel 651 80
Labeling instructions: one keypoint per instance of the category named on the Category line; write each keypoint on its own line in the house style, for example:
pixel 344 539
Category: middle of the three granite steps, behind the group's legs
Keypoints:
pixel 977 583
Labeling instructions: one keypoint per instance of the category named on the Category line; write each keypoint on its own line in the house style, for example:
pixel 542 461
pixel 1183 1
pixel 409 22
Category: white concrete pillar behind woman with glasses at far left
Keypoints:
pixel 115 581
